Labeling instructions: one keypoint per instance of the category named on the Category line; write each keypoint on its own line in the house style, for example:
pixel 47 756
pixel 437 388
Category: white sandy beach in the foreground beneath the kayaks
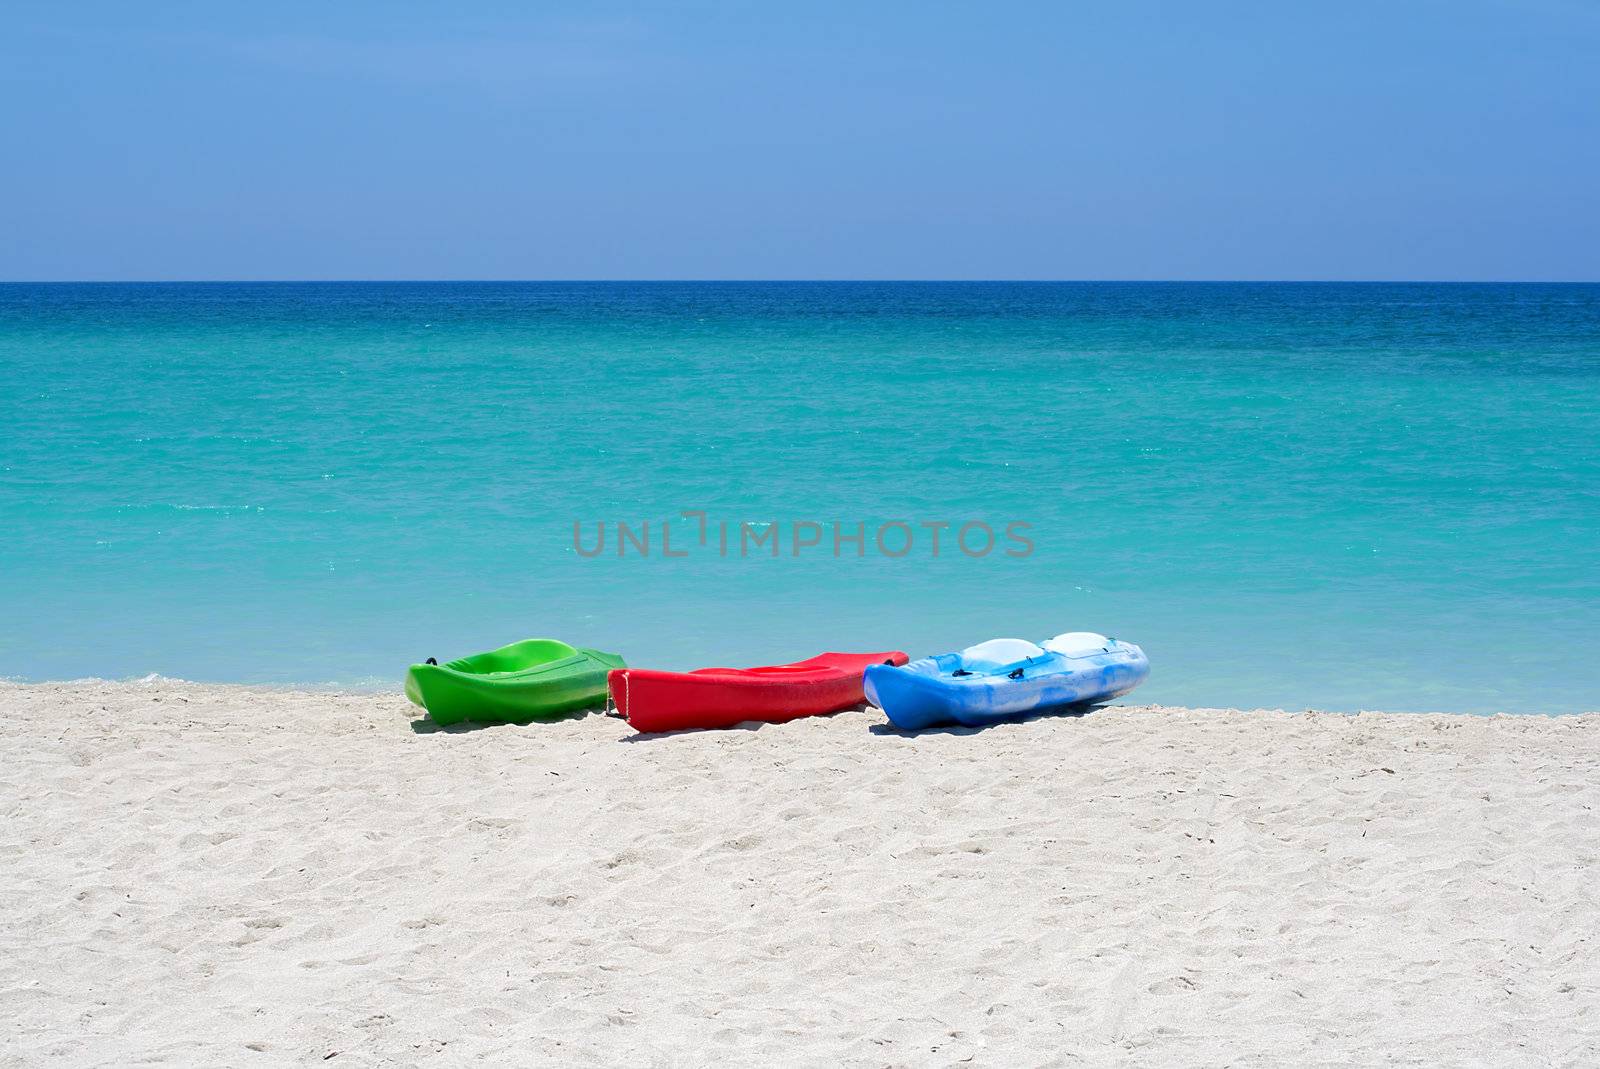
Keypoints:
pixel 231 878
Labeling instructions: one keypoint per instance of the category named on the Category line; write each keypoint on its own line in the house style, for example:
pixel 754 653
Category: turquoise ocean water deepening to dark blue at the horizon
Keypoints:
pixel 1340 497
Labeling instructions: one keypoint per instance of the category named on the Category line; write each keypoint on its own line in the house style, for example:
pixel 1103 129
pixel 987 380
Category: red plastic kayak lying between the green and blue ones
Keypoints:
pixel 721 699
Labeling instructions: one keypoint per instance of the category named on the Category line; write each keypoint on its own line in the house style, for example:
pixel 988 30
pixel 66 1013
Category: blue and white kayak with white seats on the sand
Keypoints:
pixel 1006 678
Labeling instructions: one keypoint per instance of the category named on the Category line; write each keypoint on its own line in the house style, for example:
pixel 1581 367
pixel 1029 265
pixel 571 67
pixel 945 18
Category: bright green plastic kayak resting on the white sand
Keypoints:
pixel 537 679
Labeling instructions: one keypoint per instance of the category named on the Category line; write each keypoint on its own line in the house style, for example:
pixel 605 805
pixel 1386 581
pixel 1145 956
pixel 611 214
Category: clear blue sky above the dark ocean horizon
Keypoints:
pixel 1342 140
